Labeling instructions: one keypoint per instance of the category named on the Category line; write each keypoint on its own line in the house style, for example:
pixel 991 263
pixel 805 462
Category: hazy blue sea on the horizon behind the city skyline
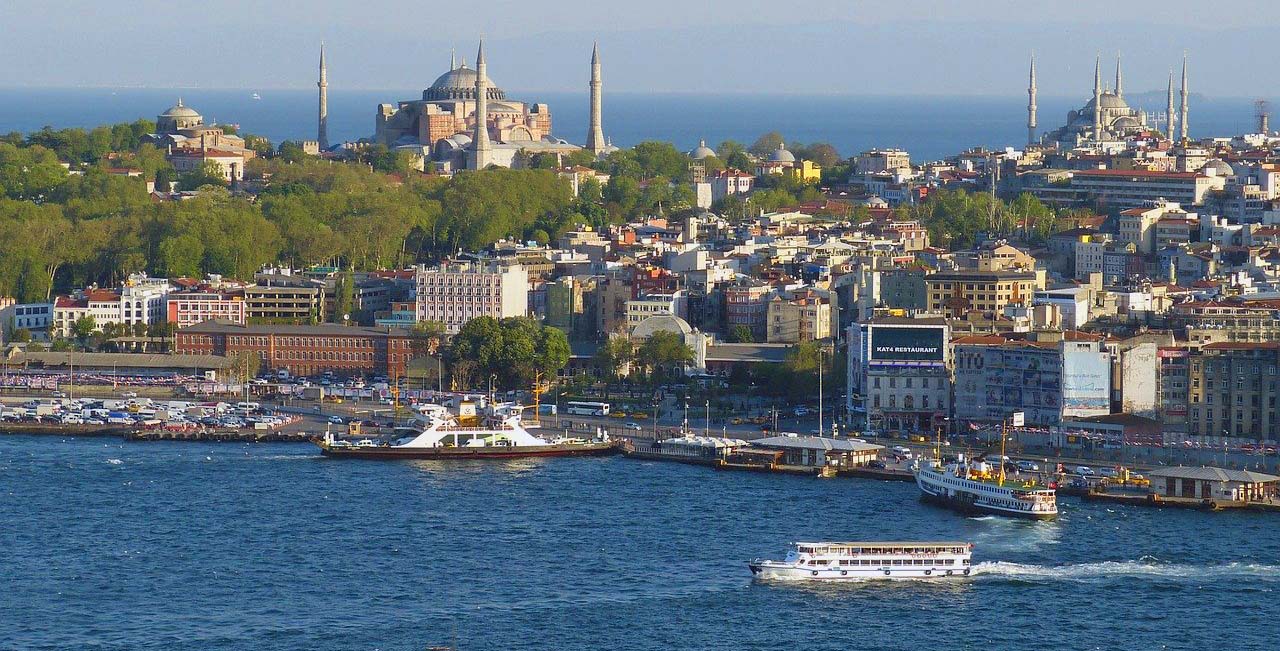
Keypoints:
pixel 929 127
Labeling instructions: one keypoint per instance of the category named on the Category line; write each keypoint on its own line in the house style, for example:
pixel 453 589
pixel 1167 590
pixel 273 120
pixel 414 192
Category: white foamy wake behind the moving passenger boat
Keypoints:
pixel 1142 569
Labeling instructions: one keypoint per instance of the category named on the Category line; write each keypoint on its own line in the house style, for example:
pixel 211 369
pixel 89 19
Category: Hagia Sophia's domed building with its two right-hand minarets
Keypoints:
pixel 442 127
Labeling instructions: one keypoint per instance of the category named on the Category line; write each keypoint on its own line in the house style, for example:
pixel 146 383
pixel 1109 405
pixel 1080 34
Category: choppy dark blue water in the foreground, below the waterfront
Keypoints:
pixel 111 545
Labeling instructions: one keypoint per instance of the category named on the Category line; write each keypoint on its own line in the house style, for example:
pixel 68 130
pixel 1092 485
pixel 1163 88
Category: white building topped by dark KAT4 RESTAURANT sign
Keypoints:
pixel 899 374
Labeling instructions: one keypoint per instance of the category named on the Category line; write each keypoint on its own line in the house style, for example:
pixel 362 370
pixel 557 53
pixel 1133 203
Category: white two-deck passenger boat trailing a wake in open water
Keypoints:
pixel 868 561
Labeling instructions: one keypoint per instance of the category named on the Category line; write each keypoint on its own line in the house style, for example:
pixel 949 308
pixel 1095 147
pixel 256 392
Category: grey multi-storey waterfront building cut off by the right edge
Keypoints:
pixel 1235 389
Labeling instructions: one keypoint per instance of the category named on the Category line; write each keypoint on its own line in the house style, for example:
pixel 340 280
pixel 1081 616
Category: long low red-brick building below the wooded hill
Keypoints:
pixel 344 351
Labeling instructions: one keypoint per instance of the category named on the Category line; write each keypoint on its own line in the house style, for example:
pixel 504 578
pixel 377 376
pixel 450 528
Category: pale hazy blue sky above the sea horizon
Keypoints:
pixel 705 47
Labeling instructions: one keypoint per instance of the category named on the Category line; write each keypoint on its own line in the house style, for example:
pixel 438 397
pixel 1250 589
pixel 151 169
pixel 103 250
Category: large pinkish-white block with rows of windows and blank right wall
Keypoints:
pixel 456 294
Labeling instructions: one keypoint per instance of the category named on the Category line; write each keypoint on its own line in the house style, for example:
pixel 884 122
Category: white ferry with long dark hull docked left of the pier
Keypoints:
pixel 441 438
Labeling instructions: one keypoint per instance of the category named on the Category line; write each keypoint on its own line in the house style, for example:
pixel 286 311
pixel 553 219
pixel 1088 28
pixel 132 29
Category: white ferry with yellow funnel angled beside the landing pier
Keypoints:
pixel 972 488
